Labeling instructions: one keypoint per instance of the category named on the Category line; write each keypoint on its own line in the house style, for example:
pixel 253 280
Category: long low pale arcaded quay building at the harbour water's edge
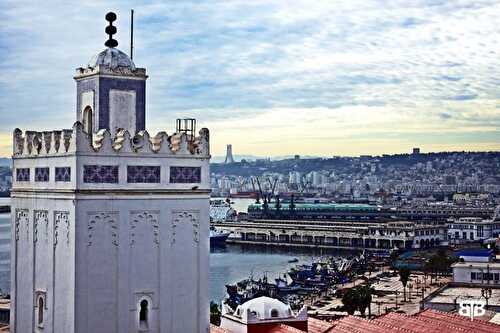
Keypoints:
pixel 326 234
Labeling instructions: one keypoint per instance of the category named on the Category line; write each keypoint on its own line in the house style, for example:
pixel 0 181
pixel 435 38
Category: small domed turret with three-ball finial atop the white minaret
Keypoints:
pixel 111 90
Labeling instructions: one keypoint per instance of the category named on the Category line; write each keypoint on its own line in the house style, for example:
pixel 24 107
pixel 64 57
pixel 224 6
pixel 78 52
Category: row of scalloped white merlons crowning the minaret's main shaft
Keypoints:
pixel 75 140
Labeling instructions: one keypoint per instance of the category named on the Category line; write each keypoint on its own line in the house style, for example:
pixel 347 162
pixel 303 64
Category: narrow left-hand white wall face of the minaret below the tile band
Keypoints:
pixel 42 248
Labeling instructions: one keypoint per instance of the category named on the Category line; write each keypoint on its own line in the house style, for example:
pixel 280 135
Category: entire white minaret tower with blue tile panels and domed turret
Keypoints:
pixel 110 225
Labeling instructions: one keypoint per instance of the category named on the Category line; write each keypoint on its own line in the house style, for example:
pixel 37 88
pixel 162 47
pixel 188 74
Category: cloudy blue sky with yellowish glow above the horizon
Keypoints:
pixel 273 78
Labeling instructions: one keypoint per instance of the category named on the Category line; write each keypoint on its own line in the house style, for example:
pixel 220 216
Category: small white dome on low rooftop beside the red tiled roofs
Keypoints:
pixel 265 308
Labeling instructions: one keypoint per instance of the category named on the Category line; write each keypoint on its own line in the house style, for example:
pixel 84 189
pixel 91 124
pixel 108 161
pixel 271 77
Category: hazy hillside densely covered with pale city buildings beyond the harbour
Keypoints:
pixel 470 177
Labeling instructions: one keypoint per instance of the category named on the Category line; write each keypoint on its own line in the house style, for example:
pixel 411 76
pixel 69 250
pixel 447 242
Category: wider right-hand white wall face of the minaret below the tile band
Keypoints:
pixel 142 248
